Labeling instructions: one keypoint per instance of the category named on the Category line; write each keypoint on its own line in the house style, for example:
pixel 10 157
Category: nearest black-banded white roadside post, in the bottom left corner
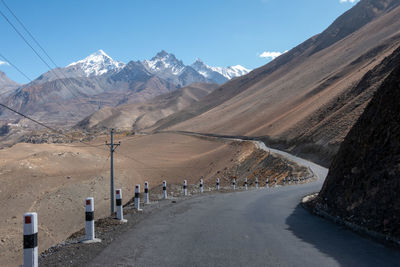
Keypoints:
pixel 30 240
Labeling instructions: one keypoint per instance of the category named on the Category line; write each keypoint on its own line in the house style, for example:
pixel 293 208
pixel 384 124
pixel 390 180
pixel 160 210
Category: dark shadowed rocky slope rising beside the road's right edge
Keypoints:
pixel 363 183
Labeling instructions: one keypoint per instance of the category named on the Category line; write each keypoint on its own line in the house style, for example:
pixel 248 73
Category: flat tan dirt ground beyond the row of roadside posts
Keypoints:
pixel 54 179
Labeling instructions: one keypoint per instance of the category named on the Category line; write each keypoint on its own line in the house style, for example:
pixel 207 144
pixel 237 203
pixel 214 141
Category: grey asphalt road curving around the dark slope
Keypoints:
pixel 264 227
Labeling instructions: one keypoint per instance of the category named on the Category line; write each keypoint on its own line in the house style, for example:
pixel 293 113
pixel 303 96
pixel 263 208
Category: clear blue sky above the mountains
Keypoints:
pixel 220 32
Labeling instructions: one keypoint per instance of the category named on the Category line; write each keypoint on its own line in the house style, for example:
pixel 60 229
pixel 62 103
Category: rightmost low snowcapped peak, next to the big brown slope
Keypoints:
pixel 216 72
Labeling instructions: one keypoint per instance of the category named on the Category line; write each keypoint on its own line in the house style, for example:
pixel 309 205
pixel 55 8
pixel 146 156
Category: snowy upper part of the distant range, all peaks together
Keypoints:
pixel 163 65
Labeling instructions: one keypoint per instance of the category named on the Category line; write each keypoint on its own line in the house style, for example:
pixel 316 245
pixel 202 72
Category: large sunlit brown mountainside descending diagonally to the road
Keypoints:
pixel 309 98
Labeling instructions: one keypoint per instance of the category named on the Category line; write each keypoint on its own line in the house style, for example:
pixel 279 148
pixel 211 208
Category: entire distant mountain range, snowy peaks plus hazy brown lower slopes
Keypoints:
pixel 66 95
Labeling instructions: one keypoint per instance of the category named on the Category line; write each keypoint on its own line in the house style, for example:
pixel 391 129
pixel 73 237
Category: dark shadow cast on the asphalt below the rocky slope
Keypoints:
pixel 346 247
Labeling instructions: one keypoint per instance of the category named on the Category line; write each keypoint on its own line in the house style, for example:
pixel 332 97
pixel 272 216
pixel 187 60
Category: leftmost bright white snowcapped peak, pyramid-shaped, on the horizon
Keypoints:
pixel 96 64
